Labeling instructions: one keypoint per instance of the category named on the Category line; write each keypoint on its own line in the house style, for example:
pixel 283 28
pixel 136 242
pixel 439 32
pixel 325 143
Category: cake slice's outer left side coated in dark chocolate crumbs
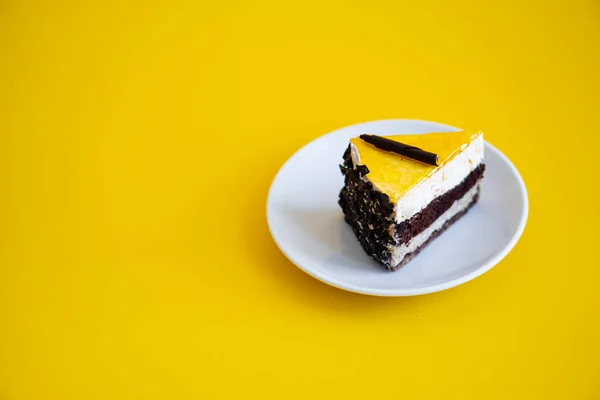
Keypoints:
pixel 368 211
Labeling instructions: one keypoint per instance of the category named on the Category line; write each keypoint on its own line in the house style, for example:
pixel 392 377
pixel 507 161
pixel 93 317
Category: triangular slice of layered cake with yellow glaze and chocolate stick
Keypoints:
pixel 403 191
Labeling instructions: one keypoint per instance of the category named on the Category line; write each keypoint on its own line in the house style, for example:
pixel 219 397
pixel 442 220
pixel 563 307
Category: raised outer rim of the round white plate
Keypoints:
pixel 390 292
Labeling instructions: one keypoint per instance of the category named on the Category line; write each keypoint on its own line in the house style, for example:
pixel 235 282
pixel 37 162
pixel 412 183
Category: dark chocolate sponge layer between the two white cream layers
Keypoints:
pixel 409 228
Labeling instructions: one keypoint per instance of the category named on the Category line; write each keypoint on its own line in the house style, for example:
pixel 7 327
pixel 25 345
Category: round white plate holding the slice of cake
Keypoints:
pixel 308 226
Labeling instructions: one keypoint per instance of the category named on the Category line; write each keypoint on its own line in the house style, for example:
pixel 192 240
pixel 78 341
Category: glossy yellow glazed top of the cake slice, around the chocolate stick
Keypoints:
pixel 394 174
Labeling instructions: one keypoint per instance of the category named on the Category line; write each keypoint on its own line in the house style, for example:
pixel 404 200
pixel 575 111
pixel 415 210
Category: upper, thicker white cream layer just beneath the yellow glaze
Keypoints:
pixel 441 181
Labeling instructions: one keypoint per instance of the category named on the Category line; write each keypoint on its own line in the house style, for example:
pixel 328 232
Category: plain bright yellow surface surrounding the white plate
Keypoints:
pixel 138 143
